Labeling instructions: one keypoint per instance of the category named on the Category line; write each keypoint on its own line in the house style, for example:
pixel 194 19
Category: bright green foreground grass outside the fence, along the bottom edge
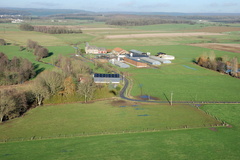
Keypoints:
pixel 196 144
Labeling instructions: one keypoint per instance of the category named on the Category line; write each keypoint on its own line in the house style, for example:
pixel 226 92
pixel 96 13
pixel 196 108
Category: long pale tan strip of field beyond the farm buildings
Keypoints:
pixel 153 35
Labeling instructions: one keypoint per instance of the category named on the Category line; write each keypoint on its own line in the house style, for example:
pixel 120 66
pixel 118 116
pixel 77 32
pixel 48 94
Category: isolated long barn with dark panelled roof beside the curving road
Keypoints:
pixel 106 78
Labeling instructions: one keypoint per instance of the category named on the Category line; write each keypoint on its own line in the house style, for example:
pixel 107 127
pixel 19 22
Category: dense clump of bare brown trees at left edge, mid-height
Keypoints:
pixel 15 71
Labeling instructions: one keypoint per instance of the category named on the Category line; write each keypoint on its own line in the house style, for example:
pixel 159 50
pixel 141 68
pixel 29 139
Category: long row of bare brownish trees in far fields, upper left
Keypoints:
pixel 48 29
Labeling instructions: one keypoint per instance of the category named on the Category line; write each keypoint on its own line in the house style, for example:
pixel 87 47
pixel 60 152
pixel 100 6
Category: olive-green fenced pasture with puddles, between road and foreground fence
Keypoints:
pixel 101 117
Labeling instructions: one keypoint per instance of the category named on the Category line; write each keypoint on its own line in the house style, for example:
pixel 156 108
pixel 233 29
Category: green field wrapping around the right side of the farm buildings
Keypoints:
pixel 196 84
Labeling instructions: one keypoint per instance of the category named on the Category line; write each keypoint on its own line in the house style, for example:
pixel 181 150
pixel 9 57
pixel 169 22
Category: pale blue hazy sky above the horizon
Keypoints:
pixel 187 6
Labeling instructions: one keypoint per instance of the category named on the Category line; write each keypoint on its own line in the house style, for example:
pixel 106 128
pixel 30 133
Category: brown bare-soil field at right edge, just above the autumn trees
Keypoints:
pixel 223 47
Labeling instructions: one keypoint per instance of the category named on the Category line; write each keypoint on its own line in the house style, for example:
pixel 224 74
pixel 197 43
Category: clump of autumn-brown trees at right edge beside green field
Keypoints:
pixel 221 64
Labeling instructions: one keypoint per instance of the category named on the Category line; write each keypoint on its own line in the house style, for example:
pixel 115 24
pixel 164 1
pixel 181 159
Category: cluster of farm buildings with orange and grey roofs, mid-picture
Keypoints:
pixel 123 58
